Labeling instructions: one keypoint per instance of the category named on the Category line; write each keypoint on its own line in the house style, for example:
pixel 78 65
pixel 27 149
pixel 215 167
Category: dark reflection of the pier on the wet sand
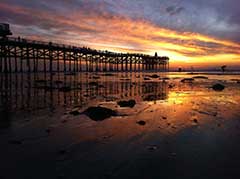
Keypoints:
pixel 32 92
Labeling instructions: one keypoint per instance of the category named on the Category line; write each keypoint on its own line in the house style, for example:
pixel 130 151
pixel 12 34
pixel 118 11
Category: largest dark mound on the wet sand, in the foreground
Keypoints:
pixel 99 113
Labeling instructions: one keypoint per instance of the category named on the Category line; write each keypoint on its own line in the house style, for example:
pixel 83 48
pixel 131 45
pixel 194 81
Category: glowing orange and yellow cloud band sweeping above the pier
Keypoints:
pixel 111 32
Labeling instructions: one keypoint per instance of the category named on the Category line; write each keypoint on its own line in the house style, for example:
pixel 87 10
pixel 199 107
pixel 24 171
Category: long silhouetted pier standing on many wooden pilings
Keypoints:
pixel 21 55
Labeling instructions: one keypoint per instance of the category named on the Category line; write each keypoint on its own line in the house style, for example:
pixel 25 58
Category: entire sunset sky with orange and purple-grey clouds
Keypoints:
pixel 191 32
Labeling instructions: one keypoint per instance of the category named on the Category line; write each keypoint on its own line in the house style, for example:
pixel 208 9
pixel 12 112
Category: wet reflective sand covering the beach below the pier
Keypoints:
pixel 190 130
